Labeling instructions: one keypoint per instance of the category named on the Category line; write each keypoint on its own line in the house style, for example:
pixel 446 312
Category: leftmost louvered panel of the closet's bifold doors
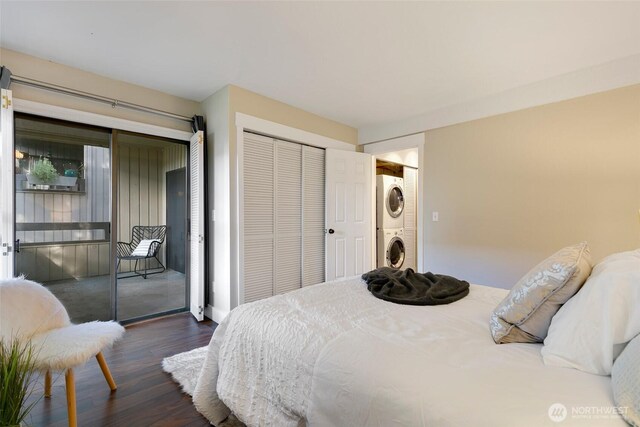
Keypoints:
pixel 258 268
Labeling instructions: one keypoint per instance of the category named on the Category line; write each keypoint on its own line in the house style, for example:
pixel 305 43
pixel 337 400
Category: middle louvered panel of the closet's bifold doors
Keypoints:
pixel 288 216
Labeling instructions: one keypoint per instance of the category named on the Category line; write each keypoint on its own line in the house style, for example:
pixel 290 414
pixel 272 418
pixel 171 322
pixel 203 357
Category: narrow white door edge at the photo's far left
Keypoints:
pixel 7 156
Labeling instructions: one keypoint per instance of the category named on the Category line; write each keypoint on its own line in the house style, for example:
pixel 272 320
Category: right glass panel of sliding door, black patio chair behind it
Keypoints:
pixel 151 207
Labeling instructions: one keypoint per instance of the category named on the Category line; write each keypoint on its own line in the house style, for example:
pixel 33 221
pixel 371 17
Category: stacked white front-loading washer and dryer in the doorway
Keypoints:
pixel 390 221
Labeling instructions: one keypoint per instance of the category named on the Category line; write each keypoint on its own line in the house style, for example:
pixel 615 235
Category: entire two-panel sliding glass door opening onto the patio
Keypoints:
pixel 101 218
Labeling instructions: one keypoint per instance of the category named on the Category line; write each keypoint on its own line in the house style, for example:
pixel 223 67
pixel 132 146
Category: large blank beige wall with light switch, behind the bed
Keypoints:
pixel 514 188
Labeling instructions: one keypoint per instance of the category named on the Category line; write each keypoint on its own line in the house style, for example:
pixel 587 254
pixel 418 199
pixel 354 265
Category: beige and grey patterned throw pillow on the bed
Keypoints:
pixel 526 312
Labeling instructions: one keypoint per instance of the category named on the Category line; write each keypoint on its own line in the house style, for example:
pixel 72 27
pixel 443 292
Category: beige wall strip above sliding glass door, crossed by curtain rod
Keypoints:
pixel 51 72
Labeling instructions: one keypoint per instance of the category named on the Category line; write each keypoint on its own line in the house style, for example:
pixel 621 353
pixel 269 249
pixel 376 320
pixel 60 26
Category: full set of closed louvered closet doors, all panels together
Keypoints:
pixel 283 217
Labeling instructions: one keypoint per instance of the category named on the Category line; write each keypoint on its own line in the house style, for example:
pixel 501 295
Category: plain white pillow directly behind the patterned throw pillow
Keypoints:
pixel 592 328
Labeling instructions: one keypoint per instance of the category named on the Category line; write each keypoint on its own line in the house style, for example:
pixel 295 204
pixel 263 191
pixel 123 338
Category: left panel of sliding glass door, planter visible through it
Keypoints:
pixel 63 212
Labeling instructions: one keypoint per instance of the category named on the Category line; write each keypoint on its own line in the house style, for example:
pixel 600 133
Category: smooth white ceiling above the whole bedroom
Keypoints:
pixel 359 63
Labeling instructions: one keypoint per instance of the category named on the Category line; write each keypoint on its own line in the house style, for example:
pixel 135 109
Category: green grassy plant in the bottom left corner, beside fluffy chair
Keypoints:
pixel 17 364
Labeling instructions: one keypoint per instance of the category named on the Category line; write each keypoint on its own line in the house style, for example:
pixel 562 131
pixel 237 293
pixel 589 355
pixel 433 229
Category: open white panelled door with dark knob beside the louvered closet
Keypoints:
pixel 349 205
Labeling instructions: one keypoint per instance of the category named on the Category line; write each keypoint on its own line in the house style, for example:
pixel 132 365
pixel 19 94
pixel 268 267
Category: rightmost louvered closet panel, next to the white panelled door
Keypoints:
pixel 313 216
